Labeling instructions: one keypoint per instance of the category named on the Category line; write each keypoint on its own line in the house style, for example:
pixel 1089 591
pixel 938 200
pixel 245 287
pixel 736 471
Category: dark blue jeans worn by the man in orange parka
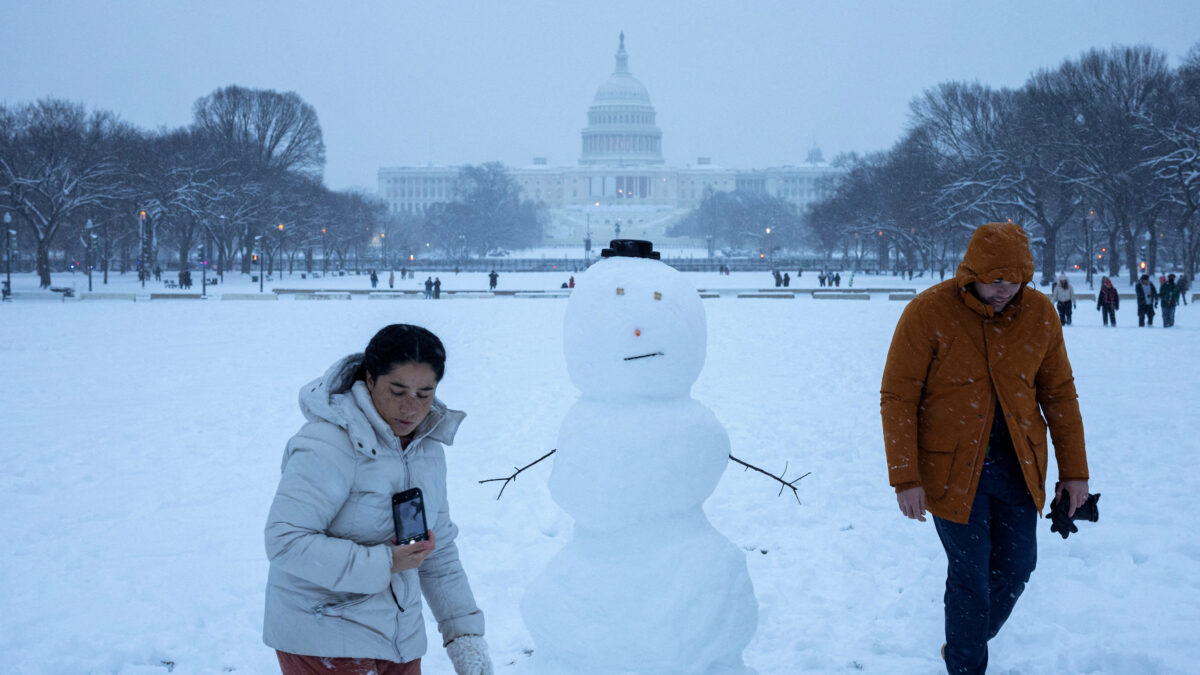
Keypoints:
pixel 991 560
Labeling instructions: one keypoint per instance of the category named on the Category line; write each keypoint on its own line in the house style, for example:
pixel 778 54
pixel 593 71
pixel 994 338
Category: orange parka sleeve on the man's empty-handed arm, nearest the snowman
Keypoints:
pixel 904 381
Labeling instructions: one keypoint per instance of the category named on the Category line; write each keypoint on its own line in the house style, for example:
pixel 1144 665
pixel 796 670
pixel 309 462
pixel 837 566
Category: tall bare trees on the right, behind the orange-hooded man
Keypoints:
pixel 1099 159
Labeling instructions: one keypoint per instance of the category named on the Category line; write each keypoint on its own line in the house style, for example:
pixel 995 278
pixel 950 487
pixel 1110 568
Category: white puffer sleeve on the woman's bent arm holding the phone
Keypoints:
pixel 314 488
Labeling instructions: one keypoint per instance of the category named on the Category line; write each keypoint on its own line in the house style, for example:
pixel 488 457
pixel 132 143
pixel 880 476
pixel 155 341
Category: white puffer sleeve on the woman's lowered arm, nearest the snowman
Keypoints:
pixel 445 582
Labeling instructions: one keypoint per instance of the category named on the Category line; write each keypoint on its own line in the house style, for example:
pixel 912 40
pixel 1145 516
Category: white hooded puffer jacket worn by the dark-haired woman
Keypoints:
pixel 331 590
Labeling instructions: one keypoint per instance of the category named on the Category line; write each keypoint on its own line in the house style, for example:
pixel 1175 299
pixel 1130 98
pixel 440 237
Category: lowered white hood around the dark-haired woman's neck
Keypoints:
pixel 331 398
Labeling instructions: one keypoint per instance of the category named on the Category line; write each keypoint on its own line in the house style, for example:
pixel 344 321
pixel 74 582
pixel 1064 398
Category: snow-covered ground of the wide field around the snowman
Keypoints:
pixel 142 445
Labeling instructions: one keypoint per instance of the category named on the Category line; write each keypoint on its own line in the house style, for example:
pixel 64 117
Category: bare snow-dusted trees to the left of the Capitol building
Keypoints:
pixel 242 183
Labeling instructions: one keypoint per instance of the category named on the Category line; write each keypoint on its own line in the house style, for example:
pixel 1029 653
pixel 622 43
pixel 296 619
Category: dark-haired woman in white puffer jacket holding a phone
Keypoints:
pixel 341 599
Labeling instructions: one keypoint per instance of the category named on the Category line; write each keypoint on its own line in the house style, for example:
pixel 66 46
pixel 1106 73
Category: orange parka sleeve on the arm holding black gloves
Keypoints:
pixel 1060 405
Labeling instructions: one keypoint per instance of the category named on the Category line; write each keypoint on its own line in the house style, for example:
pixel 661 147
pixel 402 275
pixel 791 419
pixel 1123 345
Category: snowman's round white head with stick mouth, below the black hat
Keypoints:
pixel 634 327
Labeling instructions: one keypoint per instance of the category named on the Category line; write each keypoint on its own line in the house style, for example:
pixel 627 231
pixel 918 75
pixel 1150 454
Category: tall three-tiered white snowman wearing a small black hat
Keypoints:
pixel 646 584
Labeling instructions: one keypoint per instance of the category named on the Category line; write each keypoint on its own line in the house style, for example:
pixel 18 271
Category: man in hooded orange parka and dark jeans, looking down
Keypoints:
pixel 976 373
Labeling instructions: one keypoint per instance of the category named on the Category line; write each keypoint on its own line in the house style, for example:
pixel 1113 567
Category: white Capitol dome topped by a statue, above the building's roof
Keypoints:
pixel 621 122
